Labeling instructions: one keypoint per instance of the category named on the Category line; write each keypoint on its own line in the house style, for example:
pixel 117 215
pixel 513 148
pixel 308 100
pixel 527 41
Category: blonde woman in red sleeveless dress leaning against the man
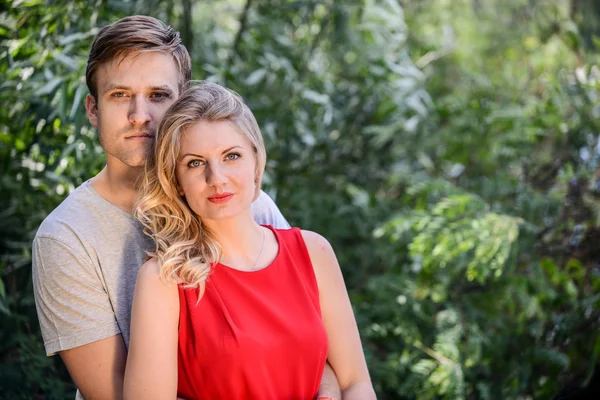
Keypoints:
pixel 226 308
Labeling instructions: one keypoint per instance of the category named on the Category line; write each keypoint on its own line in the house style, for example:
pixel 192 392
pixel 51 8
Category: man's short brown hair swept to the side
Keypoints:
pixel 136 34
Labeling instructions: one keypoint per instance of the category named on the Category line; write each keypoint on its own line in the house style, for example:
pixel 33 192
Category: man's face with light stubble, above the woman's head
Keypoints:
pixel 133 95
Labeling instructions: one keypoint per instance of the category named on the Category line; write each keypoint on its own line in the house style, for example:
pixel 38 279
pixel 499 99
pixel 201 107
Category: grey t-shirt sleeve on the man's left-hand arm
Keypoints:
pixel 72 304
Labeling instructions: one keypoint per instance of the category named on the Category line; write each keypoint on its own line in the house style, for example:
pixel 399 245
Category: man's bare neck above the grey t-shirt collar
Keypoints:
pixel 118 185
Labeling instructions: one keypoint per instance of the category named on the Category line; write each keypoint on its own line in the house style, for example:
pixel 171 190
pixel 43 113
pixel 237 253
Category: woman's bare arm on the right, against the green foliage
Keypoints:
pixel 346 356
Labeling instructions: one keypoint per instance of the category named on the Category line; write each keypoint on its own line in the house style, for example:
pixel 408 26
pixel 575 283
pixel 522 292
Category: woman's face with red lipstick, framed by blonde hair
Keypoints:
pixel 216 170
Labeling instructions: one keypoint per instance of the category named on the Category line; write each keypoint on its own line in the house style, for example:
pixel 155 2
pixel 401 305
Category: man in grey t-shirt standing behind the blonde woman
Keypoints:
pixel 87 252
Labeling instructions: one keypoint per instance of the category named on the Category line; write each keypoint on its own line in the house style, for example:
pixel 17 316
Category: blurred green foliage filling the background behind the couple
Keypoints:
pixel 448 149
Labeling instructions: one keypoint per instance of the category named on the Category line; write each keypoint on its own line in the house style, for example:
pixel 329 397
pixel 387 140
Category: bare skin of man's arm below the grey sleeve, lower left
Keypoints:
pixel 98 368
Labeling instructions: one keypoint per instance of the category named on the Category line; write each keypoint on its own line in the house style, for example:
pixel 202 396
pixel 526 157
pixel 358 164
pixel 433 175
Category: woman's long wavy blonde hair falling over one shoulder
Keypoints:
pixel 185 248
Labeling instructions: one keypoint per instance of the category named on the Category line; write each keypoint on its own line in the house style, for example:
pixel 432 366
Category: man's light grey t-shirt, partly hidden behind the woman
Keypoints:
pixel 86 255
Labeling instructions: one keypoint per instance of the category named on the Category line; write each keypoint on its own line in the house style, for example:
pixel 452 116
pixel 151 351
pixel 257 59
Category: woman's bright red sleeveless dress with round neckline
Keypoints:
pixel 254 335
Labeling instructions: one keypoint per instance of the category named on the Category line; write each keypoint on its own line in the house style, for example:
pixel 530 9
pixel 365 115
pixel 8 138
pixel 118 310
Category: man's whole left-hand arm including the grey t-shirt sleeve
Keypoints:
pixel 77 319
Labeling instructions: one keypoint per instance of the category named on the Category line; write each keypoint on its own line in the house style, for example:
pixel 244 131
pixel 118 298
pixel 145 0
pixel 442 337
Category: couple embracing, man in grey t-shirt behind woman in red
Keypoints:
pixel 225 308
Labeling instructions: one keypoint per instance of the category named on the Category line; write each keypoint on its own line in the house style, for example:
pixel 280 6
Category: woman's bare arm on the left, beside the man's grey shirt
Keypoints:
pixel 151 370
